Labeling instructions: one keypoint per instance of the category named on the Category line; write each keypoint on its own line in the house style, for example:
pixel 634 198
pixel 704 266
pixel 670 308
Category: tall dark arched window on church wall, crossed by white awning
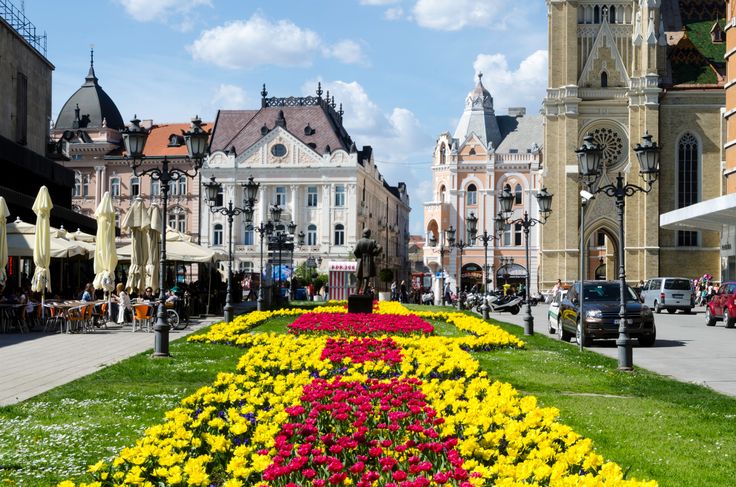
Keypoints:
pixel 688 182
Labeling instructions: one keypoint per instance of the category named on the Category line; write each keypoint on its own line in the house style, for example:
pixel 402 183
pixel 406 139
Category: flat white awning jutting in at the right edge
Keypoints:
pixel 706 215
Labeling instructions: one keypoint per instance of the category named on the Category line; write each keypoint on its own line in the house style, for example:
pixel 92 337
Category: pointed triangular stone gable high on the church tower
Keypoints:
pixel 604 58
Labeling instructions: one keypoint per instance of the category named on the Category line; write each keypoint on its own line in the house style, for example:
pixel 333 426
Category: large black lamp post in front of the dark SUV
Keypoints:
pixel 589 168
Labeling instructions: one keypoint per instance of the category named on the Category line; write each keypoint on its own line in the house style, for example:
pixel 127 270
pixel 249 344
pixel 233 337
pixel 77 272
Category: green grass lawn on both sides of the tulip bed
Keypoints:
pixel 678 434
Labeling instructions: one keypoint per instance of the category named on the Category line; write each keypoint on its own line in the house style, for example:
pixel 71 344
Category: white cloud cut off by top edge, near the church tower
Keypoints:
pixel 455 15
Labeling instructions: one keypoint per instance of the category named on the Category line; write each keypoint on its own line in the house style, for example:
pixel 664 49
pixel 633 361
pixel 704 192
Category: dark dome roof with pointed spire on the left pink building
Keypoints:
pixel 89 107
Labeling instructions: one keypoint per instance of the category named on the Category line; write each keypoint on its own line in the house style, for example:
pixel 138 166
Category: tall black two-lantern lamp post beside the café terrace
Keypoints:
pixel 134 138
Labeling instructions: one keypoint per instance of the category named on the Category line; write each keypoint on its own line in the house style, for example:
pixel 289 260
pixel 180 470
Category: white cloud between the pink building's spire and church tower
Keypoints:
pixel 524 86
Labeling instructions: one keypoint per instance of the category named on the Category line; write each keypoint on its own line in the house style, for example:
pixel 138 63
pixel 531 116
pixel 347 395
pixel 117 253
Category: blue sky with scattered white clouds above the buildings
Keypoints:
pixel 401 68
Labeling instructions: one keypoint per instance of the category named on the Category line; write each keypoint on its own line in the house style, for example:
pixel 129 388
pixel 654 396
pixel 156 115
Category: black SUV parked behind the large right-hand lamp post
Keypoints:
pixel 601 303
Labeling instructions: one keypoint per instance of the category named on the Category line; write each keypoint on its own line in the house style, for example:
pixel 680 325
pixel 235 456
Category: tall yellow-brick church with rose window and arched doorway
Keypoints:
pixel 619 70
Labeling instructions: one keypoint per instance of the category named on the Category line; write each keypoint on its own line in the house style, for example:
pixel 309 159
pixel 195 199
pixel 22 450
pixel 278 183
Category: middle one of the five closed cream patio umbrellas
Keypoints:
pixel 106 257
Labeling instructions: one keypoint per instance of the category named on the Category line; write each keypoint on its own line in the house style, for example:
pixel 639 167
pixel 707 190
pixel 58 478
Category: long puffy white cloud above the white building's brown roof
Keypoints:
pixel 259 41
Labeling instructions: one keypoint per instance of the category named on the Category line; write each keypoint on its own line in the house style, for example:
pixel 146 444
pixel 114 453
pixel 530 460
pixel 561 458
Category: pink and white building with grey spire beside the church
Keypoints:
pixel 470 169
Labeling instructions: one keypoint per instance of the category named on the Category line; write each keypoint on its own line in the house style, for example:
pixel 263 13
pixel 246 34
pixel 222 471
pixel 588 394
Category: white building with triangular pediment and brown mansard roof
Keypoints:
pixel 306 162
